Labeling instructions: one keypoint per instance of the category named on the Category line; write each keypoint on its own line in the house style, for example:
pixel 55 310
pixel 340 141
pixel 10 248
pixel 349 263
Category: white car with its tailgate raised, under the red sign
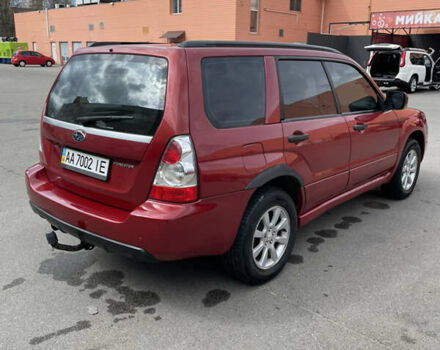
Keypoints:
pixel 407 68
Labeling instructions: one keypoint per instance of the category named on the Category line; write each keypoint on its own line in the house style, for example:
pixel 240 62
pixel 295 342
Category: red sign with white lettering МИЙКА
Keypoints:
pixel 405 19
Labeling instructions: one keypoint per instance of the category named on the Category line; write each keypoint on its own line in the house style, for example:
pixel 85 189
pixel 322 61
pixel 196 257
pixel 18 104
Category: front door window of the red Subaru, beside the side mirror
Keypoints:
pixel 354 92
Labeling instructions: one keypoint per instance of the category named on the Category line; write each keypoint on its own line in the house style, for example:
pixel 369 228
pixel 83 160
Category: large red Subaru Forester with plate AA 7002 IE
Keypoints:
pixel 215 148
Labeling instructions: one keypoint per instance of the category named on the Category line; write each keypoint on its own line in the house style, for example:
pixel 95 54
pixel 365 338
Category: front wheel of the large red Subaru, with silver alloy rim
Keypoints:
pixel 397 188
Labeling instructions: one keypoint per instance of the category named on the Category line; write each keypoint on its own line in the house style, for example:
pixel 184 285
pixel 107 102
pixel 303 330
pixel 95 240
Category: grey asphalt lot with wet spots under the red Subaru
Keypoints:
pixel 363 276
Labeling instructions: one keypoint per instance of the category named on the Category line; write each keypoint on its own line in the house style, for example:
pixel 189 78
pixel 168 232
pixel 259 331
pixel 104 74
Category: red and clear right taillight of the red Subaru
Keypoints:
pixel 176 176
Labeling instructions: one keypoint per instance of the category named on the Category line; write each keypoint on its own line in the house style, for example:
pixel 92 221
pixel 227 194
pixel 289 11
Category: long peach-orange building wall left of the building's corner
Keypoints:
pixel 142 20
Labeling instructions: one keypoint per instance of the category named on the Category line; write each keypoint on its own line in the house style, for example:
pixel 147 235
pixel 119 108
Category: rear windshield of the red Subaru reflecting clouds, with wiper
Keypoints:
pixel 124 93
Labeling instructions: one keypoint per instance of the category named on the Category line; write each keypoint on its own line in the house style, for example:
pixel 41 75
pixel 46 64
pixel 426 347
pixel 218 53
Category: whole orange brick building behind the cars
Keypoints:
pixel 59 32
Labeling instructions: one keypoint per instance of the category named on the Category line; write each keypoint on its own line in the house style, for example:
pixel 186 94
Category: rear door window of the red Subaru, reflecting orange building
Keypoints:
pixel 305 89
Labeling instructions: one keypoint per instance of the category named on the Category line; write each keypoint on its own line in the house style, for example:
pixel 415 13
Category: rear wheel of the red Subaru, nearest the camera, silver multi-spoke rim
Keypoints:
pixel 245 260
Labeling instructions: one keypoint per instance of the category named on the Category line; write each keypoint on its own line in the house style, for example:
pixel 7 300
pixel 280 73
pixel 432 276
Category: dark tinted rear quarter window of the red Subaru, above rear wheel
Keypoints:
pixel 234 91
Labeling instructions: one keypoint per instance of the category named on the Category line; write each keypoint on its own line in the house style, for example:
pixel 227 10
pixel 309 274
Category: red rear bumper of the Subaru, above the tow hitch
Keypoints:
pixel 153 230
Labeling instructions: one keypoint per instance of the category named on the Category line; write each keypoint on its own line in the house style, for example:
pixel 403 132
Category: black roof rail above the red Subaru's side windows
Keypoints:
pixel 256 44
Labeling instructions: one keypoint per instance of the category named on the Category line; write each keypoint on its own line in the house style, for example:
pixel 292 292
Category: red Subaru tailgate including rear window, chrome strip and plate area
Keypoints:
pixel 111 107
